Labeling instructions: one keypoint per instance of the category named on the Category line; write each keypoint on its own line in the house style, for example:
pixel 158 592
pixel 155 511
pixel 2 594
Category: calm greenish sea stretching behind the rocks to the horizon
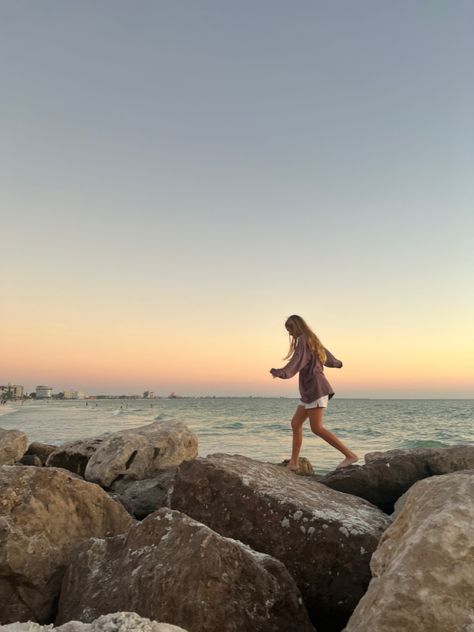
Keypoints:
pixel 257 427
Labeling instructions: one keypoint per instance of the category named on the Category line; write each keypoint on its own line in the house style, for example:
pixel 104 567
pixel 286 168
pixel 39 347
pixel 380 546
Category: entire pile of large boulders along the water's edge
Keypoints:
pixel 245 545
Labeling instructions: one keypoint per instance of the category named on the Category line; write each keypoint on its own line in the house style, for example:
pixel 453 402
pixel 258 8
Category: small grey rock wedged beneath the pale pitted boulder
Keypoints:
pixel 141 498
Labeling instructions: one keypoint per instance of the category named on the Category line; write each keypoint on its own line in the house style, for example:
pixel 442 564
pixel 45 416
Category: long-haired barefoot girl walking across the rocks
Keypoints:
pixel 308 356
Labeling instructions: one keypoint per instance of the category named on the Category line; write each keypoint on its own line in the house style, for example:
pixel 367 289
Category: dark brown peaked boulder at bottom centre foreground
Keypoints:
pixel 172 568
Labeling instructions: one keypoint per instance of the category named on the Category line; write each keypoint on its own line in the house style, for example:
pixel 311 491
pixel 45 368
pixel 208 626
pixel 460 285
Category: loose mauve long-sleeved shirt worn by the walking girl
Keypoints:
pixel 312 381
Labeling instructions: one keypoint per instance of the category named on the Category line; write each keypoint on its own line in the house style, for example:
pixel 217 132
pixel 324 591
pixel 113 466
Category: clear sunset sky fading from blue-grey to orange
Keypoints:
pixel 176 178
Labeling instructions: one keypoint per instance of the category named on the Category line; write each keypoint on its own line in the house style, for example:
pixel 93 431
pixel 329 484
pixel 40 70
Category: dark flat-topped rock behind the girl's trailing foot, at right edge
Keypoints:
pixel 388 475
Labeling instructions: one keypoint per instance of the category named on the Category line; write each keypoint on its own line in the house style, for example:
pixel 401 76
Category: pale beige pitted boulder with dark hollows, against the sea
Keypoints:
pixel 139 452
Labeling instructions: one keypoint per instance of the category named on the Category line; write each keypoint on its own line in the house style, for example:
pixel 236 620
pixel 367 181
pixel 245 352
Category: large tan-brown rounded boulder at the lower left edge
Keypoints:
pixel 44 514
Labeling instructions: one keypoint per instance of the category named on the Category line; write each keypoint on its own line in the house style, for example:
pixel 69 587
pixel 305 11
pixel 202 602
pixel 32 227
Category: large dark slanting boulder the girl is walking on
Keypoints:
pixel 324 538
